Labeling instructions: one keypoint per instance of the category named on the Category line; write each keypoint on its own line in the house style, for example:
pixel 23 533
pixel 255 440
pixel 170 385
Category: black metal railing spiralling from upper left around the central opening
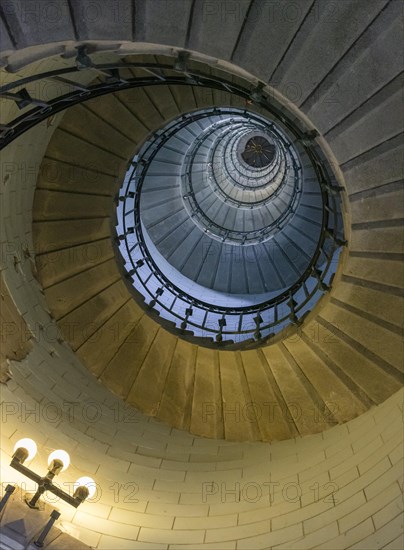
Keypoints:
pixel 246 325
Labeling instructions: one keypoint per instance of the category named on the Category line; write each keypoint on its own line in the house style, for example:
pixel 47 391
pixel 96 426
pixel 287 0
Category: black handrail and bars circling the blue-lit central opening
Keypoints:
pixel 256 331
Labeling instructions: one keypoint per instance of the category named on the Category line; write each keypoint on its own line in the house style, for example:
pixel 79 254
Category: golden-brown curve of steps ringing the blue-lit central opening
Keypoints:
pixel 332 359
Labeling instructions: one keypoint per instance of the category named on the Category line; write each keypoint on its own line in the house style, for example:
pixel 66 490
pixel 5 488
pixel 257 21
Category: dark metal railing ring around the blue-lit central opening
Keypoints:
pixel 217 324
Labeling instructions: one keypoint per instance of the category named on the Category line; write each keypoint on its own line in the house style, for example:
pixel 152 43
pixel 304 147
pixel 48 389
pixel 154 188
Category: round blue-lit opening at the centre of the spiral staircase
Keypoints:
pixel 223 235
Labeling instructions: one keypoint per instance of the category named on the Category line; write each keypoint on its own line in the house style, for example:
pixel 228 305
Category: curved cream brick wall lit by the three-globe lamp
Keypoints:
pixel 162 488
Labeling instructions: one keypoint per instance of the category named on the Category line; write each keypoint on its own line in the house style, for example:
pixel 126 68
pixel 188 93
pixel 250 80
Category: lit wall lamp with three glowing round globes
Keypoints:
pixel 25 450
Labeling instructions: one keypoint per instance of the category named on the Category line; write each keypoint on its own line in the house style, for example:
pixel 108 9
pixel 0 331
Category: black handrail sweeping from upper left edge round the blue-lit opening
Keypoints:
pixel 35 110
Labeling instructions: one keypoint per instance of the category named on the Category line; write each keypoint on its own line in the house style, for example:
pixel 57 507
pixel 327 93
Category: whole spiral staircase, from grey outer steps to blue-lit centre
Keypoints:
pixel 223 240
